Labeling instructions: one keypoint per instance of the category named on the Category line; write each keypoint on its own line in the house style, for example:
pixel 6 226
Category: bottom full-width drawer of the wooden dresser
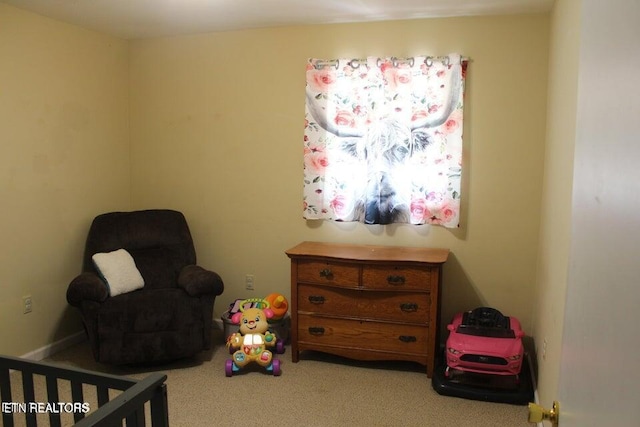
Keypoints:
pixel 363 334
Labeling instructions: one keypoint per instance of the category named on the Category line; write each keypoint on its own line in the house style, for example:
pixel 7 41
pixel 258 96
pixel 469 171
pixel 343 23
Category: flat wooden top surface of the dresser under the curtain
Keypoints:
pixel 368 252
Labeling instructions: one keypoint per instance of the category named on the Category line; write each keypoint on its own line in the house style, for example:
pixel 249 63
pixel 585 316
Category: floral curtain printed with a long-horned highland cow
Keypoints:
pixel 383 140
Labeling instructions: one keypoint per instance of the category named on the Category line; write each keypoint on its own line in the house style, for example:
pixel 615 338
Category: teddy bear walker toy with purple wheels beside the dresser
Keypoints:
pixel 252 343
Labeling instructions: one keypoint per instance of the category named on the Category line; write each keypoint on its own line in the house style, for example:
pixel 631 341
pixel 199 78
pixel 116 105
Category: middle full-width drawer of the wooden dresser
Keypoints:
pixel 410 307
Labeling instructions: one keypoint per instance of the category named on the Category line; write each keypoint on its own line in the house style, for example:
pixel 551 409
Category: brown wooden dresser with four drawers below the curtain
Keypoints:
pixel 366 302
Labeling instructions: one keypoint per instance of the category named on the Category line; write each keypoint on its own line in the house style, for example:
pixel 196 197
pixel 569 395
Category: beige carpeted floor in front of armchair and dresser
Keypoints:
pixel 320 390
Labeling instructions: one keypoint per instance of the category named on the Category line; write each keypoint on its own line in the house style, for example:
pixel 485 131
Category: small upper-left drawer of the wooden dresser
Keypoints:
pixel 331 273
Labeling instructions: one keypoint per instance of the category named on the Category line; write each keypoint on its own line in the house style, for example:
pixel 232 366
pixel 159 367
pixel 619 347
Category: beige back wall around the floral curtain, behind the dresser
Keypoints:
pixel 217 126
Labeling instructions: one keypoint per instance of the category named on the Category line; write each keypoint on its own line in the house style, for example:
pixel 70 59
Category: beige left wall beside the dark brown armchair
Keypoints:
pixel 64 156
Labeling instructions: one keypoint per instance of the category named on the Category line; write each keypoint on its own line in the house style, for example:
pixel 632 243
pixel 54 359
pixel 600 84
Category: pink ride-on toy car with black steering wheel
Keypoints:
pixel 484 341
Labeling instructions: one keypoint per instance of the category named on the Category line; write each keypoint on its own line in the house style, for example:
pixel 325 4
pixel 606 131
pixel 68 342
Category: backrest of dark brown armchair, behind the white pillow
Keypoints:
pixel 159 241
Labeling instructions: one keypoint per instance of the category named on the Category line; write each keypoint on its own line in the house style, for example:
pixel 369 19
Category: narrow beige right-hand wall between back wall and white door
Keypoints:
pixel 555 230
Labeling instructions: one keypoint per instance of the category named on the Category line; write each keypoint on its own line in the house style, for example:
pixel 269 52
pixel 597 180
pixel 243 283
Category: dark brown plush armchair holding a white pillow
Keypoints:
pixel 170 317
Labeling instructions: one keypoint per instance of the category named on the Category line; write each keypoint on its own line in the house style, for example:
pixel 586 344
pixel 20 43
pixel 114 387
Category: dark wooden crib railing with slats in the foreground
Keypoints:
pixel 91 398
